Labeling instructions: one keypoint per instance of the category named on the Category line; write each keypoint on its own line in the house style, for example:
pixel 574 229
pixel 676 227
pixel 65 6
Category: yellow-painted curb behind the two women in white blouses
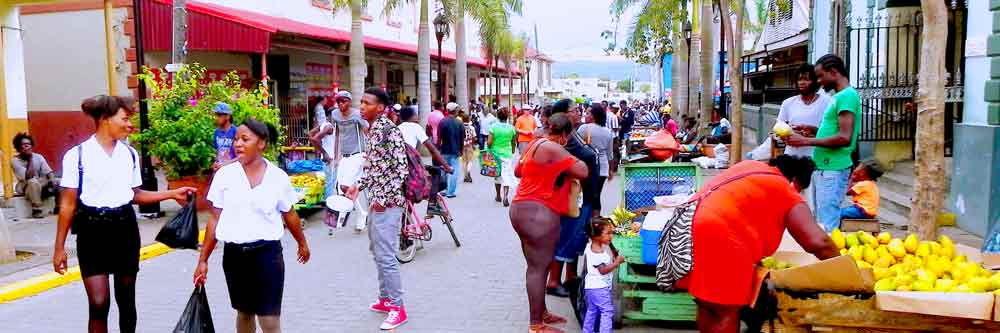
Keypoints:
pixel 38 284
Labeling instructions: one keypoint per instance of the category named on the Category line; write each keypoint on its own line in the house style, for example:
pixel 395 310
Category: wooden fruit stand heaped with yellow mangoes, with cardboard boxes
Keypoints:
pixel 882 284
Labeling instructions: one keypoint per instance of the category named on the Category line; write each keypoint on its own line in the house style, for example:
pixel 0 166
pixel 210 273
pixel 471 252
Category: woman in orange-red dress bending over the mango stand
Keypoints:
pixel 742 215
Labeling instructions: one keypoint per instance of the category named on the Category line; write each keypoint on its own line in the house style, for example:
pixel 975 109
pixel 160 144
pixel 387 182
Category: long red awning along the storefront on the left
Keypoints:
pixel 214 27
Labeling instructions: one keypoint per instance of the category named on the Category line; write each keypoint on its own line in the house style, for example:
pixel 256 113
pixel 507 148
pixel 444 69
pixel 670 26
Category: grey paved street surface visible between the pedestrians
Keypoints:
pixel 476 288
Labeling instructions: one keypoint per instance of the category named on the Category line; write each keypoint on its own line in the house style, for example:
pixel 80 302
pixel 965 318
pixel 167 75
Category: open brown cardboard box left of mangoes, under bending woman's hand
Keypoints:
pixel 836 275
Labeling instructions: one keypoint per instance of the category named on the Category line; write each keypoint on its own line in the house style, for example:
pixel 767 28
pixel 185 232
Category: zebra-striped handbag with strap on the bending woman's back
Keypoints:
pixel 676 244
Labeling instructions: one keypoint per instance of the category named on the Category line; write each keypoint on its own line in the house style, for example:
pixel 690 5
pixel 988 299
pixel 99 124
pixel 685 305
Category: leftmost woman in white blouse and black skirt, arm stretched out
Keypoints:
pixel 100 183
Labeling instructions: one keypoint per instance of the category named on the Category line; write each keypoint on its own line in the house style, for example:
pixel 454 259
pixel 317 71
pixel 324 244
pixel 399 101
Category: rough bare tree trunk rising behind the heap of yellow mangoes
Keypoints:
pixel 929 187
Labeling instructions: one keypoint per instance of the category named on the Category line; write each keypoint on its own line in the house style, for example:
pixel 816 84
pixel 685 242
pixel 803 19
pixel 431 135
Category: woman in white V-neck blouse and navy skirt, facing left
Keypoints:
pixel 252 204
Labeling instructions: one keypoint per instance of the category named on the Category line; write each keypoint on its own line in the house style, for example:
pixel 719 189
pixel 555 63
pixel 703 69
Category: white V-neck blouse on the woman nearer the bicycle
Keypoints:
pixel 250 214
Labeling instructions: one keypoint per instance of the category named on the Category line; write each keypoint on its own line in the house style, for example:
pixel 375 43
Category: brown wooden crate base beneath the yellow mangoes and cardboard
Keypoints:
pixel 826 312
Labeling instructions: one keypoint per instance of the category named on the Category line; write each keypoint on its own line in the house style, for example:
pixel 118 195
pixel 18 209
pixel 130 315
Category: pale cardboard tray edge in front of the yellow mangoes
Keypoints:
pixel 959 305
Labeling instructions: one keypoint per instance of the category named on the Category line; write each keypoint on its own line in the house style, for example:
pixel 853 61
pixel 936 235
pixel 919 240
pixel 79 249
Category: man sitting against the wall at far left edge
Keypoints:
pixel 35 180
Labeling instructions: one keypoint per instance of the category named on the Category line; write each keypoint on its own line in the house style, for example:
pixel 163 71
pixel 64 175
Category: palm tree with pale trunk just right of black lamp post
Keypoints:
pixel 490 15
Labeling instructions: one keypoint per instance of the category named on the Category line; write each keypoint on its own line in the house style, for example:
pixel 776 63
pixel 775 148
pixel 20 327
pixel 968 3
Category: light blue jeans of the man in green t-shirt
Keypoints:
pixel 831 187
